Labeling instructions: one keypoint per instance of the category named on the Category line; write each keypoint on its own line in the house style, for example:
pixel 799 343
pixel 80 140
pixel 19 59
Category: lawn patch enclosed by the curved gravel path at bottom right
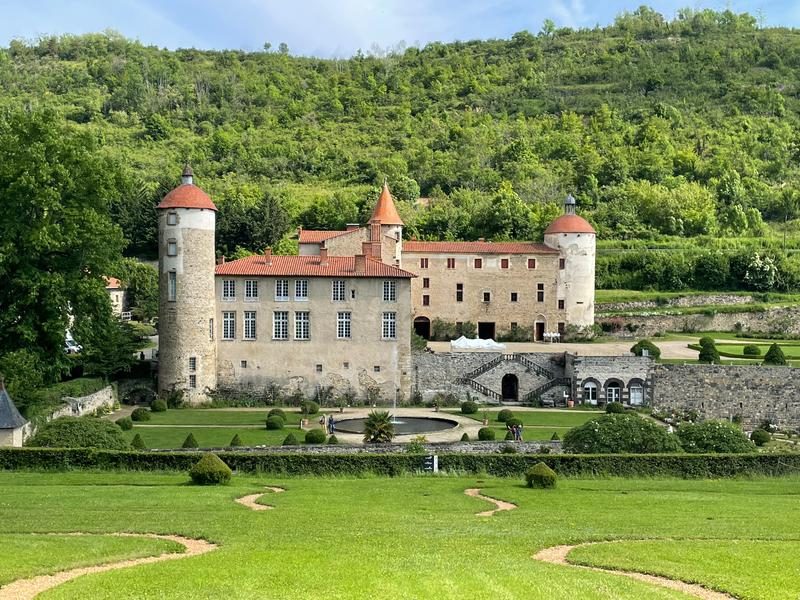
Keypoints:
pixel 745 568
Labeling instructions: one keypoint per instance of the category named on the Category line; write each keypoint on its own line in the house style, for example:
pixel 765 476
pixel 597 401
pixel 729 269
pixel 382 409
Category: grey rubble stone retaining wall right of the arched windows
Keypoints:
pixel 753 393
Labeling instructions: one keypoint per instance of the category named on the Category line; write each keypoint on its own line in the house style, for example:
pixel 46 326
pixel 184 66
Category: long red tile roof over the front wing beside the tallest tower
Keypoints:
pixel 308 266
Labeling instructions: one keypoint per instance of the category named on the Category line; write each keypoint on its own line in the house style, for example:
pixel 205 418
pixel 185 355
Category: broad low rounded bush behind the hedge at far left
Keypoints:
pixel 79 432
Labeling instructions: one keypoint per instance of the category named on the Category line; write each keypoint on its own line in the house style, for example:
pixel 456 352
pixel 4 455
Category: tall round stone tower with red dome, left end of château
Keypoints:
pixel 187 357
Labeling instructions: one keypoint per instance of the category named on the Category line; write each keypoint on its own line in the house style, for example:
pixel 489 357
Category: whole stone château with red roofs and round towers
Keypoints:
pixel 340 314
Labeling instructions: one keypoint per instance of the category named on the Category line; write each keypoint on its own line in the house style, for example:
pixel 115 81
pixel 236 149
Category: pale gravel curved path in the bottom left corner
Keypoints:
pixel 23 589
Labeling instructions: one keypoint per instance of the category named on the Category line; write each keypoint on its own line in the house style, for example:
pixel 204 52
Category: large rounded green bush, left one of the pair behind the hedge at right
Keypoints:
pixel 619 434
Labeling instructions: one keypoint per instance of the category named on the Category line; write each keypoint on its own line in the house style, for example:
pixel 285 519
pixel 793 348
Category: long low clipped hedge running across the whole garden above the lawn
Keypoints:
pixel 503 465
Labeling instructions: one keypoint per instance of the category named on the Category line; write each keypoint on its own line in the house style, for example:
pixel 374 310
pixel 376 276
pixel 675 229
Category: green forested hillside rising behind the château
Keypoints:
pixel 686 127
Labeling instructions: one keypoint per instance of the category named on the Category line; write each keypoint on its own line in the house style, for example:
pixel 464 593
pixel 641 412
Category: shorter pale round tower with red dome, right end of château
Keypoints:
pixel 574 238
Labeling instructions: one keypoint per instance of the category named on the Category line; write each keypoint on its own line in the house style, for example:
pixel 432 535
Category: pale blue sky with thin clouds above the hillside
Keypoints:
pixel 335 28
